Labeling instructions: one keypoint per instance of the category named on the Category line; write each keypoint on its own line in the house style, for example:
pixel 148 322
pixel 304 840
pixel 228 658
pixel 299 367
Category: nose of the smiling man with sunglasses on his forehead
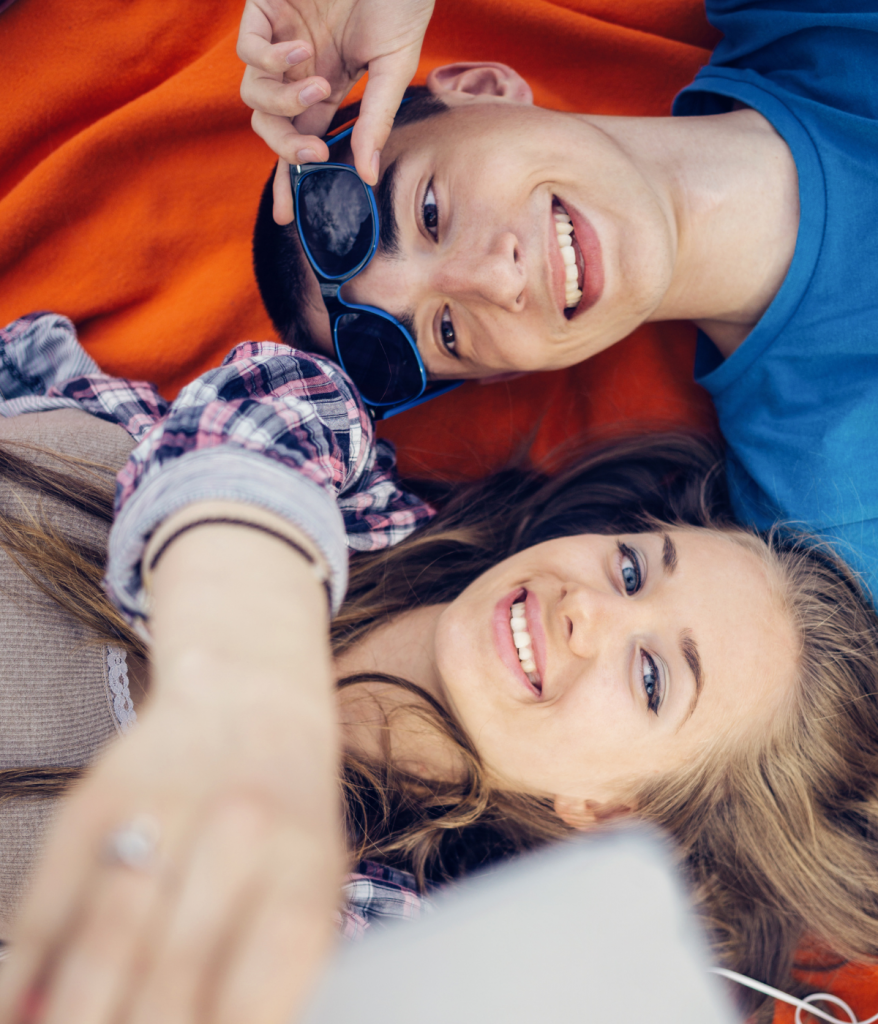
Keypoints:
pixel 494 274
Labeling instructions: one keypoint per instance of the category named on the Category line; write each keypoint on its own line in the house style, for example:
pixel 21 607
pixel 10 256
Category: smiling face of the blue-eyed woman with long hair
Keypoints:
pixel 645 649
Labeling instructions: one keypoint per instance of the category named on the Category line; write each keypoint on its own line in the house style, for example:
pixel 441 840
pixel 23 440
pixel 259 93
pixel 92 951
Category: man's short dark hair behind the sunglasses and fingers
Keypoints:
pixel 279 261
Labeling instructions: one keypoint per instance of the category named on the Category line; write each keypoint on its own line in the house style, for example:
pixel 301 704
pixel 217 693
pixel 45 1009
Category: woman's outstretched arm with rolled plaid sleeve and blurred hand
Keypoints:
pixel 234 758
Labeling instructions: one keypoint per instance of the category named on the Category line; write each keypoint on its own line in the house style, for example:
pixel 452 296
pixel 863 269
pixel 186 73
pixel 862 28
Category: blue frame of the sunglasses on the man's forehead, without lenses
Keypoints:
pixel 338 308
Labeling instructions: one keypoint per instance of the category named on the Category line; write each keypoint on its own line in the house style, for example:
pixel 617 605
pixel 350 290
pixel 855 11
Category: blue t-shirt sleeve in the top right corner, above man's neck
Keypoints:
pixel 823 51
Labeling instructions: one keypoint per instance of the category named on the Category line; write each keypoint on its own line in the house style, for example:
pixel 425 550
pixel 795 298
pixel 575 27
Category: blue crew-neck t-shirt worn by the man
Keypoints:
pixel 799 401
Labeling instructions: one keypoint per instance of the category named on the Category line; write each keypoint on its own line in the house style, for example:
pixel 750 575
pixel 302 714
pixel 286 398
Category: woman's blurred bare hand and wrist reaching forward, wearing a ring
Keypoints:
pixel 234 764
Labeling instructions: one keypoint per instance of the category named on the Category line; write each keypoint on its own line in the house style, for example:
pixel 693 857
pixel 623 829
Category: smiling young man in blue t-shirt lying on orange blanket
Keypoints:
pixel 751 212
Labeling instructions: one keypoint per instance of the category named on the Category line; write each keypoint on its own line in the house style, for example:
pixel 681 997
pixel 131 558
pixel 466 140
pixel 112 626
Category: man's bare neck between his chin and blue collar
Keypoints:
pixel 730 187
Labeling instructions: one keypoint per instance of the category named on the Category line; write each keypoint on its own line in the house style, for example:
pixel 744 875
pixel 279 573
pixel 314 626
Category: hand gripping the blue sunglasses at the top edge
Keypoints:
pixel 305 56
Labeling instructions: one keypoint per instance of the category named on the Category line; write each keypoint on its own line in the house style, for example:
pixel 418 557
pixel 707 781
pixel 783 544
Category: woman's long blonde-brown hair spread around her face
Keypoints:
pixel 778 838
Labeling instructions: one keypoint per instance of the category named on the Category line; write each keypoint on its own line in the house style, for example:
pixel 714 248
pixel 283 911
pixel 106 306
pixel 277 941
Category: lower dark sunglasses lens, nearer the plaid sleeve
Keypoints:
pixel 379 359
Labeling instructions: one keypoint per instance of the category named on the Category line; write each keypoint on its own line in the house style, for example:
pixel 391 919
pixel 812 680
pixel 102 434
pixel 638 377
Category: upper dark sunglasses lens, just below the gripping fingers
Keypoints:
pixel 336 220
